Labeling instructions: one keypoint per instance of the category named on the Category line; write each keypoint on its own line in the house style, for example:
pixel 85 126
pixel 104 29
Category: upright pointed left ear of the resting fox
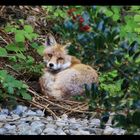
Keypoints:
pixel 50 40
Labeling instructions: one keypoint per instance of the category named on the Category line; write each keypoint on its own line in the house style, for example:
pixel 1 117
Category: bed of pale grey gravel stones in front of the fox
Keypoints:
pixel 26 121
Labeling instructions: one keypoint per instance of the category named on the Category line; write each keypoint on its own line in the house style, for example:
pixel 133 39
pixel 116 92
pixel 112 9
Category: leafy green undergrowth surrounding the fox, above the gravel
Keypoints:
pixel 107 38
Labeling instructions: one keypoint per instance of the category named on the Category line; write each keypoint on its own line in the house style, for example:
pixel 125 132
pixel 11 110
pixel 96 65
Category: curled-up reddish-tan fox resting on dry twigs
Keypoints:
pixel 64 75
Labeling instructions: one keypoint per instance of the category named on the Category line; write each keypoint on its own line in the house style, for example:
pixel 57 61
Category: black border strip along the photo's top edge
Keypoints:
pixel 69 2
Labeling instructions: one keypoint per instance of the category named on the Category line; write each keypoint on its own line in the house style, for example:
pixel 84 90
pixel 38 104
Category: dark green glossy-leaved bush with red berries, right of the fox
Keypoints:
pixel 102 38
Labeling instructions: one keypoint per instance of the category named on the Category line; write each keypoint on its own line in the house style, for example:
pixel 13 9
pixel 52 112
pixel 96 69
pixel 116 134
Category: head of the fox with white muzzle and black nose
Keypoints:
pixel 55 55
